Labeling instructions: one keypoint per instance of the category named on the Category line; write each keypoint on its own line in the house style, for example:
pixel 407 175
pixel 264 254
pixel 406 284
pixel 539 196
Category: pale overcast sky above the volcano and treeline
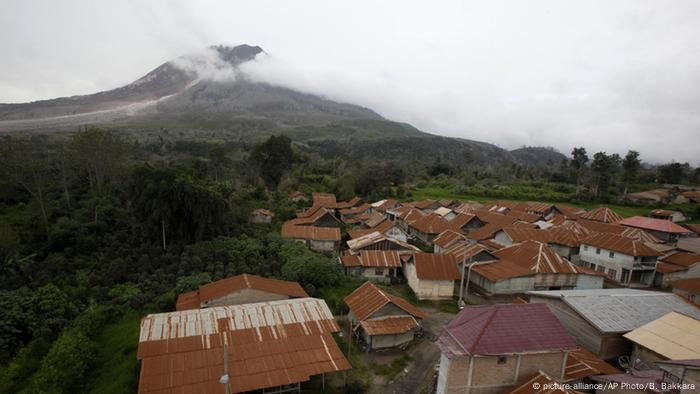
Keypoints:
pixel 608 75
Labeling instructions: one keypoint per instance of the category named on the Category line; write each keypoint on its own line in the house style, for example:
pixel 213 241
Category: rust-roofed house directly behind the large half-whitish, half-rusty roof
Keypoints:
pixel 239 289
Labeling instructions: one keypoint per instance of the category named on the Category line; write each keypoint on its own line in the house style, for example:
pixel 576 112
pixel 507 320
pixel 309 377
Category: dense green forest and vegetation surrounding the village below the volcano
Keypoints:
pixel 98 229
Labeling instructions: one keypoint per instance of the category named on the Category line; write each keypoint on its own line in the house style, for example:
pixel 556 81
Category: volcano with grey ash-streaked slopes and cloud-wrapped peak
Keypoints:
pixel 209 91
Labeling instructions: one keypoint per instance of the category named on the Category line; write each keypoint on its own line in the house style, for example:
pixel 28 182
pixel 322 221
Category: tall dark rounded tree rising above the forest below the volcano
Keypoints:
pixel 273 158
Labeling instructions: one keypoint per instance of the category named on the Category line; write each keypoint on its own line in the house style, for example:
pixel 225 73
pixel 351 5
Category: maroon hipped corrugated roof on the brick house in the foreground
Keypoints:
pixel 504 329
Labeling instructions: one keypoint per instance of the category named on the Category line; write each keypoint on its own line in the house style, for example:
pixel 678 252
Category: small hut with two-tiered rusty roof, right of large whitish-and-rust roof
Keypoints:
pixel 382 320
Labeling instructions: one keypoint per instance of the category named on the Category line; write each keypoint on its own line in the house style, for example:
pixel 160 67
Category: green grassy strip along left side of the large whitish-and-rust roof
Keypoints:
pixel 116 367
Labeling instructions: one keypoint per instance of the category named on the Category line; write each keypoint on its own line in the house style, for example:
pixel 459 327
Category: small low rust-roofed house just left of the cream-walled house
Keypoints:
pixel 377 265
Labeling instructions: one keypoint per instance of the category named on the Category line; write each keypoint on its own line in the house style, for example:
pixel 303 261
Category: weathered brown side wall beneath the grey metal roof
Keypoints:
pixel 585 334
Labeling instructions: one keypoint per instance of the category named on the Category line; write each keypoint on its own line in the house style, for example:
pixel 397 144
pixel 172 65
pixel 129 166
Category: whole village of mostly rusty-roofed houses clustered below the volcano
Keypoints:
pixel 501 297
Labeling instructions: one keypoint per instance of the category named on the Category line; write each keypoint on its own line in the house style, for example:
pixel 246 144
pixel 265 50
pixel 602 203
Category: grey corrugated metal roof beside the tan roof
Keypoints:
pixel 621 310
